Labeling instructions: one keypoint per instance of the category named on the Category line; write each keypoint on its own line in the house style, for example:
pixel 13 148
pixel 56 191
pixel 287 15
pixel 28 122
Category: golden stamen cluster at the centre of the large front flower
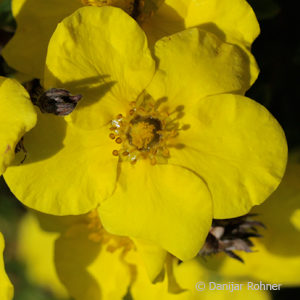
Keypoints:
pixel 146 132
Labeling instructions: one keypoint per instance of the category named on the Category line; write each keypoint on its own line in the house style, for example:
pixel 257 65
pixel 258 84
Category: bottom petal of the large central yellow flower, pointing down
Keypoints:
pixel 165 204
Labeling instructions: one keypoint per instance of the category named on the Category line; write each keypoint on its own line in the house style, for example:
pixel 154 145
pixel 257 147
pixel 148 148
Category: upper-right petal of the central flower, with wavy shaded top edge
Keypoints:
pixel 194 64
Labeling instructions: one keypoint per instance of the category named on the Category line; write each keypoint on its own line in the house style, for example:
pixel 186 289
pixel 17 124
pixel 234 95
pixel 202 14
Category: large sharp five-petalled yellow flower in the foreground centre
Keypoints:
pixel 154 146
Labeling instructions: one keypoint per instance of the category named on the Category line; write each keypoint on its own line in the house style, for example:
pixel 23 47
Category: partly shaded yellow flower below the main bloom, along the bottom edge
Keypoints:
pixel 94 264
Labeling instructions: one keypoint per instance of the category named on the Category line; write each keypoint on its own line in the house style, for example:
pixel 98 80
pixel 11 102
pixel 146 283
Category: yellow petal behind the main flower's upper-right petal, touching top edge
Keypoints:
pixel 231 21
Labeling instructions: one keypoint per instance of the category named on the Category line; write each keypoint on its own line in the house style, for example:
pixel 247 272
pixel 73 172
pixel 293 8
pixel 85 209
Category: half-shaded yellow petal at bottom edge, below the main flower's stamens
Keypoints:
pixel 88 269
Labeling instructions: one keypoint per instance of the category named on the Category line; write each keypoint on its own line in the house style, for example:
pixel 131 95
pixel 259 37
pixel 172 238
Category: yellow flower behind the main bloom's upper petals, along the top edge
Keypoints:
pixel 232 21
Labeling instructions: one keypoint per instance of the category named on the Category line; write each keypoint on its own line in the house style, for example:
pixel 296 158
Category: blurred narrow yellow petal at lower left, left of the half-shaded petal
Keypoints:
pixel 35 249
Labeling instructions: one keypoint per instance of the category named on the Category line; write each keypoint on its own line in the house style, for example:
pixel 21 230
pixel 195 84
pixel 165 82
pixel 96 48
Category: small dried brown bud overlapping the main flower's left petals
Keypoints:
pixel 57 101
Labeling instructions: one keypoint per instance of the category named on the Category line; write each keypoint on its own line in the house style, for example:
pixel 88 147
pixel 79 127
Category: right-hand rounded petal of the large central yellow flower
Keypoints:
pixel 237 147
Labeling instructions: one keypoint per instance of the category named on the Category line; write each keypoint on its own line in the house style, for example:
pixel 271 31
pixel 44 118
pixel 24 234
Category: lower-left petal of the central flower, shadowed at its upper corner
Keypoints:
pixel 67 170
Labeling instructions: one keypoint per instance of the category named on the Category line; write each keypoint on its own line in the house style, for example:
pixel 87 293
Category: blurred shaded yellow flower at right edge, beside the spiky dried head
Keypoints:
pixel 276 256
